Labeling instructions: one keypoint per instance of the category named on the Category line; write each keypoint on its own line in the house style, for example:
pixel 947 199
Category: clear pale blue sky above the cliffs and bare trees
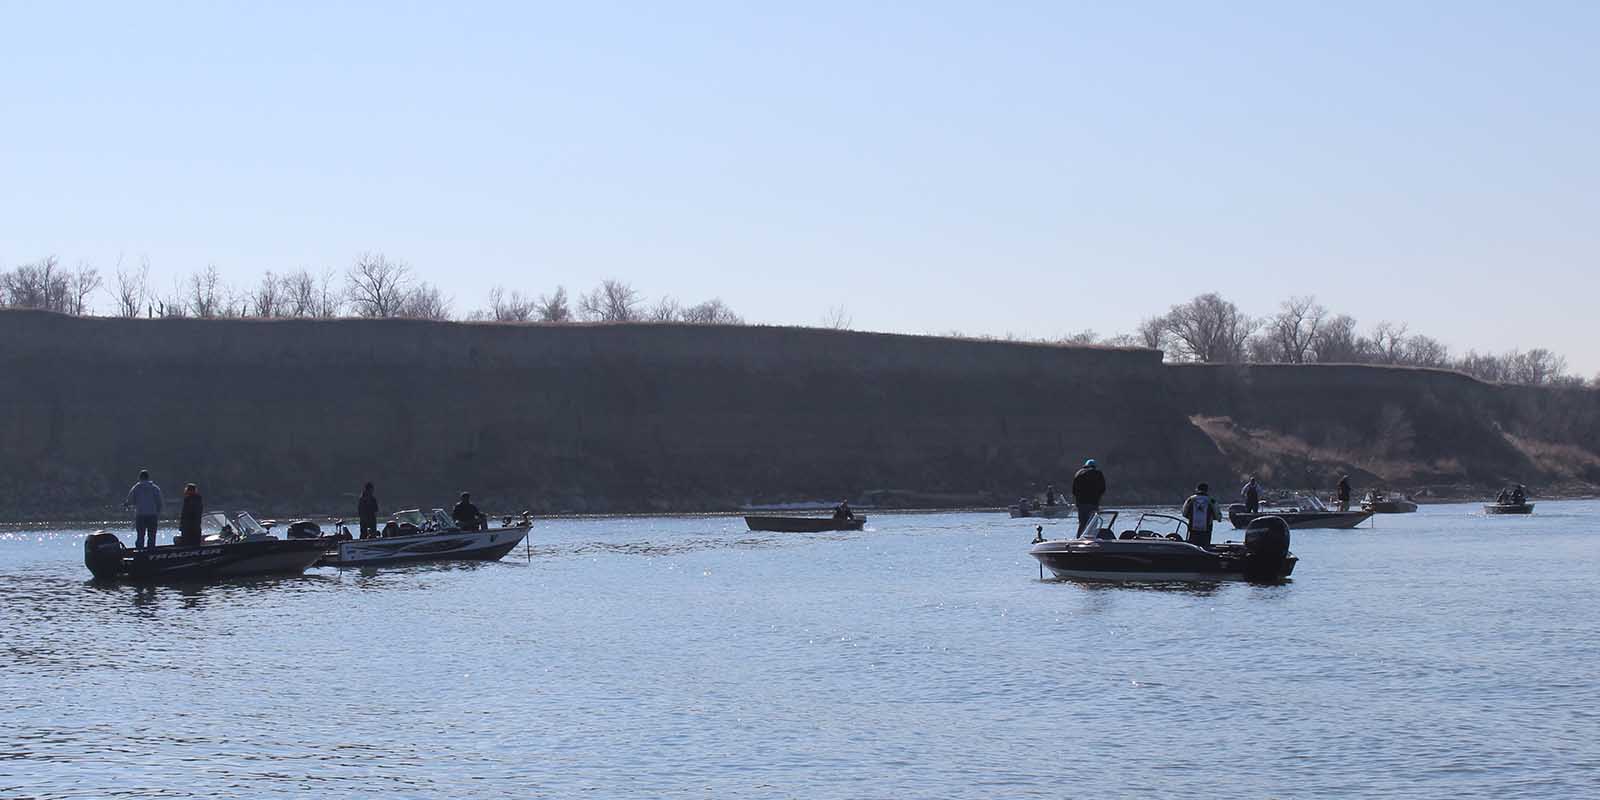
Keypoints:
pixel 988 169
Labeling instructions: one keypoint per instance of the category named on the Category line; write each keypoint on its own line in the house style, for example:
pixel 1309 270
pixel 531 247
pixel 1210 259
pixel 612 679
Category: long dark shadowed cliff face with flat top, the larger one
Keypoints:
pixel 294 415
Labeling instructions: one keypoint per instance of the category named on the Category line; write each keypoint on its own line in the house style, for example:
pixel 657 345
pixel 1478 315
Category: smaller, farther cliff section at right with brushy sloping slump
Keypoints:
pixel 1398 428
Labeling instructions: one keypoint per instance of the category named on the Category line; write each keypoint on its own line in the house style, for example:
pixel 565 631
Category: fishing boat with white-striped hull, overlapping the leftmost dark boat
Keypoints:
pixel 417 537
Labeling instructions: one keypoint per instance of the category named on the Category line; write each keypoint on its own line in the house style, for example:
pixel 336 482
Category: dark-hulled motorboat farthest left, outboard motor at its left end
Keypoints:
pixel 110 561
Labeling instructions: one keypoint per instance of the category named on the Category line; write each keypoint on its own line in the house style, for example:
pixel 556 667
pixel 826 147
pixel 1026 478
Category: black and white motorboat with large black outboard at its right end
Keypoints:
pixel 1156 550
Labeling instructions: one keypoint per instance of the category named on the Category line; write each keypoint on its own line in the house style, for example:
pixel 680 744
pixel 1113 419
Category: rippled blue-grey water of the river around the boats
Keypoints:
pixel 1441 655
